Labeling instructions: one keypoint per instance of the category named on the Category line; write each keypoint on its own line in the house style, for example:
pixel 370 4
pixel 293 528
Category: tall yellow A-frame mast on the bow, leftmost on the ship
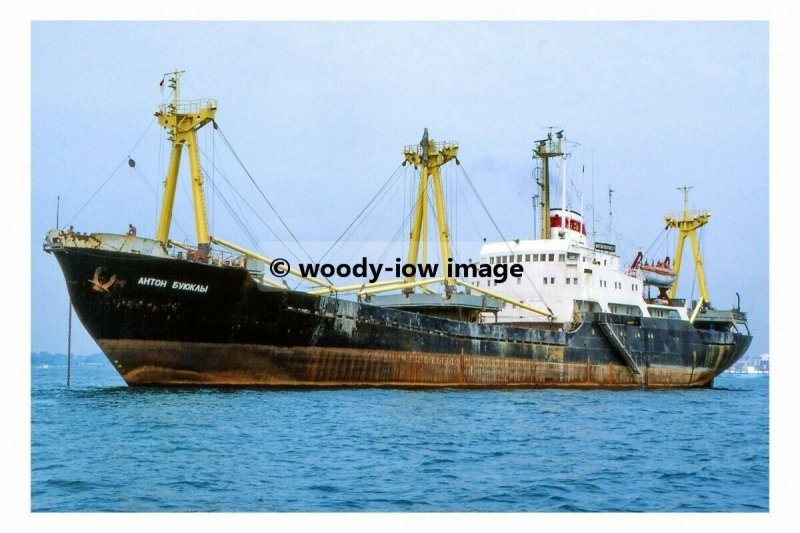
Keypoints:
pixel 182 119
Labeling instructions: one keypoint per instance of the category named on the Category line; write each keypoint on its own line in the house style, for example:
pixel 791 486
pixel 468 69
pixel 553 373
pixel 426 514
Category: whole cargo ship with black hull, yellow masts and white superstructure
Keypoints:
pixel 217 314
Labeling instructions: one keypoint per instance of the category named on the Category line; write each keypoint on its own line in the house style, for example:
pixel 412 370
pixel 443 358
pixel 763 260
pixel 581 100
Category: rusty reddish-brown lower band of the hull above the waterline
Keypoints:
pixel 203 364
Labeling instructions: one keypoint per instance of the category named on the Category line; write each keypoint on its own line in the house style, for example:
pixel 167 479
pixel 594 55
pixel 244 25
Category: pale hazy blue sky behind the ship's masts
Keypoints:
pixel 318 112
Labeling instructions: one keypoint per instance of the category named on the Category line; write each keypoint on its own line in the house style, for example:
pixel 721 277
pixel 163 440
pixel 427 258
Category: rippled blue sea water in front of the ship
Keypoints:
pixel 101 446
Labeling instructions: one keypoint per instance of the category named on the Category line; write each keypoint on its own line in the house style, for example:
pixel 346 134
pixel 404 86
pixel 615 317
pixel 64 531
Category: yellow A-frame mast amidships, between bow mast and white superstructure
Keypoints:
pixel 429 156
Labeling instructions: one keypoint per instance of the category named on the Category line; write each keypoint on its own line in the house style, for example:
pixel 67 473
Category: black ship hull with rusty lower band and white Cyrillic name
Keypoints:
pixel 164 321
